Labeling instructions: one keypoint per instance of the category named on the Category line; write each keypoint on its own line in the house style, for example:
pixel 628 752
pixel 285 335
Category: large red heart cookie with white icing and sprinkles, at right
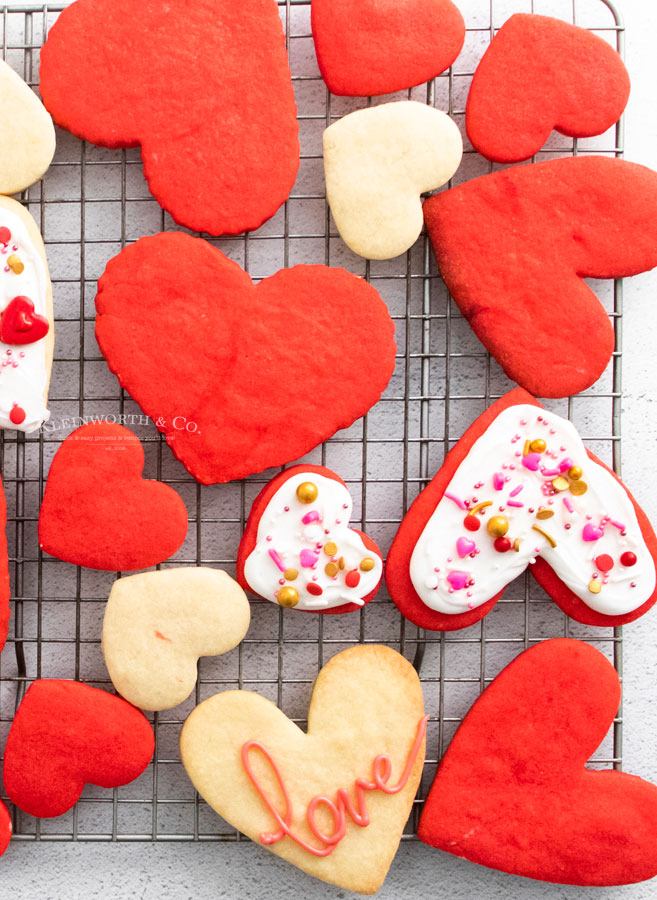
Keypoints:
pixel 521 489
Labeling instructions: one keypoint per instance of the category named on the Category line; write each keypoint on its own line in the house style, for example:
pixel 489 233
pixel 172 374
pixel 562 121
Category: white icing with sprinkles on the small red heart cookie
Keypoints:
pixel 294 536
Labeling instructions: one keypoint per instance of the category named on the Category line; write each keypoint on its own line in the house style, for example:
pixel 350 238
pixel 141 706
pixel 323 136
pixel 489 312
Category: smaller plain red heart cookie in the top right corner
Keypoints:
pixel 540 73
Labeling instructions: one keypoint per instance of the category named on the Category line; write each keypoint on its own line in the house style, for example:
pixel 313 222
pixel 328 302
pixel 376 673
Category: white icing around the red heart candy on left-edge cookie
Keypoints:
pixel 23 367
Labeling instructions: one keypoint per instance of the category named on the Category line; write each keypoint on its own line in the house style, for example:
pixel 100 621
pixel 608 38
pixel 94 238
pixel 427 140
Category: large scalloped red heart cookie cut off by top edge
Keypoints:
pixel 203 87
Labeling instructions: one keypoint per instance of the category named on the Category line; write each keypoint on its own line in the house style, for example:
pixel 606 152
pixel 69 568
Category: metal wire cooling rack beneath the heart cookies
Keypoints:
pixel 91 203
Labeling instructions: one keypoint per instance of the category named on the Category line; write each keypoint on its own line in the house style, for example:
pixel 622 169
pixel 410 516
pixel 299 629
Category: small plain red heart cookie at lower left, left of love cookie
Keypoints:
pixel 65 735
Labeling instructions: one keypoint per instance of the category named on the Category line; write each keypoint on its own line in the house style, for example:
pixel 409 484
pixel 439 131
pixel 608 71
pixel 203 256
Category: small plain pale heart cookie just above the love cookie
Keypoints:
pixel 158 624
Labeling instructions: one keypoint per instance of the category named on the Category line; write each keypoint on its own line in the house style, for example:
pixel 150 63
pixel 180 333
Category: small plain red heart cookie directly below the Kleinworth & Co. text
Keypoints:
pixel 99 512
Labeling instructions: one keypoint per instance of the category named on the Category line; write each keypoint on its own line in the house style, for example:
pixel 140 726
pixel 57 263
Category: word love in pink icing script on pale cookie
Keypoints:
pixel 339 809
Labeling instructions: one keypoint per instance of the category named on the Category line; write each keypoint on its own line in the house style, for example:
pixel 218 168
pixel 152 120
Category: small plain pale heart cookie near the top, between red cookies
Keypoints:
pixel 377 162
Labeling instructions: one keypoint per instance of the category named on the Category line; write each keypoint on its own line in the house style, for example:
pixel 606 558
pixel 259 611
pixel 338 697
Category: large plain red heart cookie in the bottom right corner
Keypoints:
pixel 513 791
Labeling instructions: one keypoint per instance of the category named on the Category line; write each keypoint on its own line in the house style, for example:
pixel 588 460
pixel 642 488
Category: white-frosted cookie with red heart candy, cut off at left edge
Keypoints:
pixel 27 330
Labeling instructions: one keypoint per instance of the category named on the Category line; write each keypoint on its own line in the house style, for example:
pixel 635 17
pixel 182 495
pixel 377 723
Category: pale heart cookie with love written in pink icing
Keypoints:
pixel 334 801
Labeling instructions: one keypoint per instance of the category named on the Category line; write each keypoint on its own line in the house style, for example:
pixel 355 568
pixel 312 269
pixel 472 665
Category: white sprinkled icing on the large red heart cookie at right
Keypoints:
pixel 454 569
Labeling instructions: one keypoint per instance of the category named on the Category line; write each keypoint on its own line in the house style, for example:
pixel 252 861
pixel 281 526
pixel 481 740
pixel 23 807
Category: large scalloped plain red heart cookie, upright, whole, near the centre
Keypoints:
pixel 240 377
